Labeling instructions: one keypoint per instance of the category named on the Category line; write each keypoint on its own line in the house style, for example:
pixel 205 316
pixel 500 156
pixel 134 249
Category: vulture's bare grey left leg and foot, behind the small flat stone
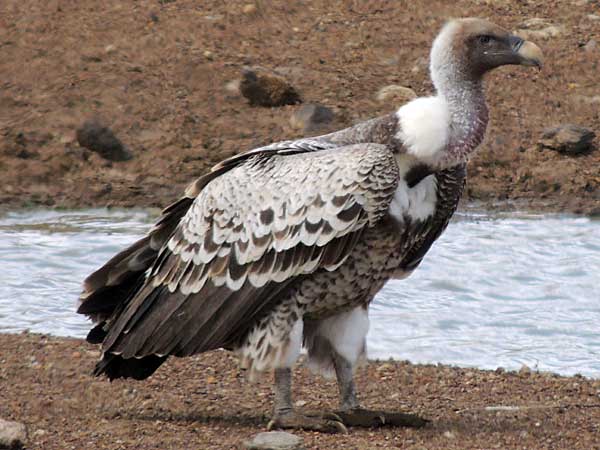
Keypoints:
pixel 284 415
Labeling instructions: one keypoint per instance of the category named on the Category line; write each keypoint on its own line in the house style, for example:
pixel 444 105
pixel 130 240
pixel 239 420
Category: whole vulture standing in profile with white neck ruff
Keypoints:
pixel 284 246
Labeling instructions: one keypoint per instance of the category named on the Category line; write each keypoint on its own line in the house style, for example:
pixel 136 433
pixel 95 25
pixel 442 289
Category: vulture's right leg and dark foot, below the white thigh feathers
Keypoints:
pixel 355 416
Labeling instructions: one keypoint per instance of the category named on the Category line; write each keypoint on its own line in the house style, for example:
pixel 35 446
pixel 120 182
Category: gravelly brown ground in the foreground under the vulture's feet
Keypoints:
pixel 206 402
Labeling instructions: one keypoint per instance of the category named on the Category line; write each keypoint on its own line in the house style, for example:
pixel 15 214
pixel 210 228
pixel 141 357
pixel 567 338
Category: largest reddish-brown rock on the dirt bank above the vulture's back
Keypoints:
pixel 263 88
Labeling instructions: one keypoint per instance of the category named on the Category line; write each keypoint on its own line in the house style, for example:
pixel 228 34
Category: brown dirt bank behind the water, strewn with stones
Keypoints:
pixel 156 73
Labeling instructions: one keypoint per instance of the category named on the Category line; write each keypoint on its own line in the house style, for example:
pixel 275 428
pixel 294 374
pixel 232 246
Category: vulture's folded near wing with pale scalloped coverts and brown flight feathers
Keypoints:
pixel 248 235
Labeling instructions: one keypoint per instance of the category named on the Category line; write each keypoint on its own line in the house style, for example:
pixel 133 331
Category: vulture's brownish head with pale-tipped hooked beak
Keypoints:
pixel 468 48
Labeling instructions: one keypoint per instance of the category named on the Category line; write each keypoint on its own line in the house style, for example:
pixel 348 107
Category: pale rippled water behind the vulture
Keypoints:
pixel 496 290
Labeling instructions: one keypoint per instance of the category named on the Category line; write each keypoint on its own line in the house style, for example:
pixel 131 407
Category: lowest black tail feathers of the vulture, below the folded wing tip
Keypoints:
pixel 114 366
